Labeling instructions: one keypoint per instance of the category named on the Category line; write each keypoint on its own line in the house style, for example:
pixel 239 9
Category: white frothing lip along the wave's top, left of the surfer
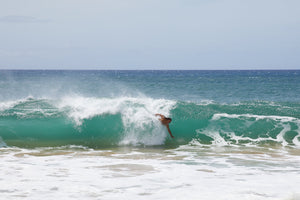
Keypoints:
pixel 80 108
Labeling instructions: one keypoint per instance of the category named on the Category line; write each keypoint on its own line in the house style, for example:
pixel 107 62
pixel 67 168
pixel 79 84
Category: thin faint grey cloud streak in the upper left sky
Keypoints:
pixel 21 19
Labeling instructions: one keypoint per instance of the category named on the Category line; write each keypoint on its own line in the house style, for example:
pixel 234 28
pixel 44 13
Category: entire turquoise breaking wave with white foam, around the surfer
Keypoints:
pixel 107 122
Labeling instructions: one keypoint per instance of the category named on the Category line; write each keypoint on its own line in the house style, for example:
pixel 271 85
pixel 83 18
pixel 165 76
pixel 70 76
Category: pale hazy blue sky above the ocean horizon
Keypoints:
pixel 150 34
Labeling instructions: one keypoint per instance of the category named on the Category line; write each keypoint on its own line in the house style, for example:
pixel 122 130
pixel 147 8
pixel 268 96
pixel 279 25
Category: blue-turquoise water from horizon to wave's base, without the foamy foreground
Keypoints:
pixel 102 109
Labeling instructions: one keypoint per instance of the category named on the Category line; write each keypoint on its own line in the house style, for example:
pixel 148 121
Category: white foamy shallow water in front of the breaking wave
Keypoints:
pixel 184 173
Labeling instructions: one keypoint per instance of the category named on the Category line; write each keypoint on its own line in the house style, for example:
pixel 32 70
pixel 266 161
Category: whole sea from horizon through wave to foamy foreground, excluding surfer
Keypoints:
pixel 94 134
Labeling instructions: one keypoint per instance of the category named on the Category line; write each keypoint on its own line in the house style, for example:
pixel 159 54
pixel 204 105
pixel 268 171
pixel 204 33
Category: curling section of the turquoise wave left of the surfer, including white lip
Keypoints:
pixel 83 121
